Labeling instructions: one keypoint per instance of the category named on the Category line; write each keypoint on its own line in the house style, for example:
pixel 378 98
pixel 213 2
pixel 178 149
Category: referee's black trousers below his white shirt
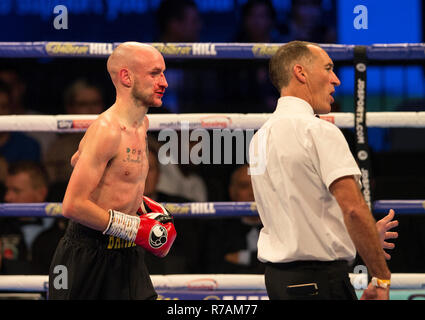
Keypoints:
pixel 309 280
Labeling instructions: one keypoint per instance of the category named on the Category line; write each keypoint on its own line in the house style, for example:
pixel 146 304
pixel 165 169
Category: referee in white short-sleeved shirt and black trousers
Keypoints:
pixel 306 187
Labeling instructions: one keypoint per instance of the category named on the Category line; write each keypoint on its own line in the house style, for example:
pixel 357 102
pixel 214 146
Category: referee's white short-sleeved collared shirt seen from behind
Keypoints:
pixel 301 156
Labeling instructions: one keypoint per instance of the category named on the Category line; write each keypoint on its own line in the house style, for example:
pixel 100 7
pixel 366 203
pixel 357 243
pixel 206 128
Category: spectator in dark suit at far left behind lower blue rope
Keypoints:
pixel 27 182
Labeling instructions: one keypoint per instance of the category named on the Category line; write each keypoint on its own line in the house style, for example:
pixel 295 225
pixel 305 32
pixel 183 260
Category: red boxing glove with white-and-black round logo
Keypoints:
pixel 156 229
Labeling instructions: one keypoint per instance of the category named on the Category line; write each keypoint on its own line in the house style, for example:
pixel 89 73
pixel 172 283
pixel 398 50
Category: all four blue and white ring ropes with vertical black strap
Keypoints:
pixel 221 286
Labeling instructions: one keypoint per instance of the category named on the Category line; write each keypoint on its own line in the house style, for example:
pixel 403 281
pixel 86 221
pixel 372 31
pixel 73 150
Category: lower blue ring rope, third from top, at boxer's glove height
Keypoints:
pixel 200 209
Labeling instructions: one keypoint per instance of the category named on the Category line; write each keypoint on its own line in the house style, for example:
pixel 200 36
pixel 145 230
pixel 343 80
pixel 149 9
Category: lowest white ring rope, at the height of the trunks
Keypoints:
pixel 22 283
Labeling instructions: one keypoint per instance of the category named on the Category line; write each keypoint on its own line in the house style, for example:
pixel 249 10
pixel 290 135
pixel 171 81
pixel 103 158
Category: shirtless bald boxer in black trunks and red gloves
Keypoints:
pixel 104 246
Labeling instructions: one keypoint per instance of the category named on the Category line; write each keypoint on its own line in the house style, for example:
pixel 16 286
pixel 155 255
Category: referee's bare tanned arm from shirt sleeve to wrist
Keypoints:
pixel 360 225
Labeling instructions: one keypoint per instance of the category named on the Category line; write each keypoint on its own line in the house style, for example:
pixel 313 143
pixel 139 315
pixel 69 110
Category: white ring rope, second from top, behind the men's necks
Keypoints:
pixel 77 123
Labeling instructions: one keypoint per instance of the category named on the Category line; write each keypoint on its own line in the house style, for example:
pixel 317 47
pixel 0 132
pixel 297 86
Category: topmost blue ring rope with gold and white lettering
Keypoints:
pixel 338 52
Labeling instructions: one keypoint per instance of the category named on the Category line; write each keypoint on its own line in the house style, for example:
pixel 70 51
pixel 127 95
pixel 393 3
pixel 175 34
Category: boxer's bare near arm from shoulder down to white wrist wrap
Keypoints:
pixel 102 140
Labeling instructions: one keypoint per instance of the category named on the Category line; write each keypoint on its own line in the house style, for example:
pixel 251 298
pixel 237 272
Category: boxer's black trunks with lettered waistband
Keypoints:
pixel 89 265
